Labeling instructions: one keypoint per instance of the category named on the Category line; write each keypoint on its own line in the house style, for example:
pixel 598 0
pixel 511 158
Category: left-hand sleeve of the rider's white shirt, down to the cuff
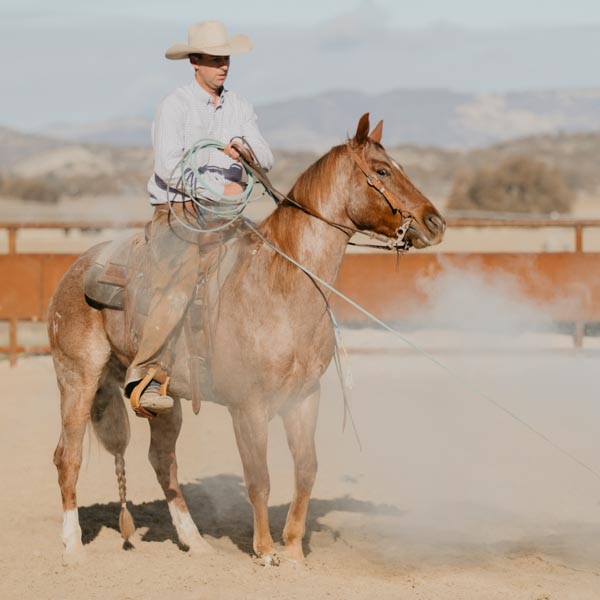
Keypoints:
pixel 168 139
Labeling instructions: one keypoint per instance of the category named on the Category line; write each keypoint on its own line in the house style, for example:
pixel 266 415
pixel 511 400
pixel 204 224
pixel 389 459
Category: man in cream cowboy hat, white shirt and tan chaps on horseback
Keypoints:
pixel 202 109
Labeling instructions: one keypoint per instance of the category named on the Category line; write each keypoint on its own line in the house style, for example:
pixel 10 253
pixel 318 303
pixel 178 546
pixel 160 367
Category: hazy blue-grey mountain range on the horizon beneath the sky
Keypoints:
pixel 422 117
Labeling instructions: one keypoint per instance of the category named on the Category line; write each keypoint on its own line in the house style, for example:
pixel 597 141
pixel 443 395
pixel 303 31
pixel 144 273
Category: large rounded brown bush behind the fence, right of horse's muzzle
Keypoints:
pixel 519 184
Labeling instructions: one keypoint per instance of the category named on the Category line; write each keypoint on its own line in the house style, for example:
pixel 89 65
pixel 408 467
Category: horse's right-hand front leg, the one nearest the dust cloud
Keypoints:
pixel 300 421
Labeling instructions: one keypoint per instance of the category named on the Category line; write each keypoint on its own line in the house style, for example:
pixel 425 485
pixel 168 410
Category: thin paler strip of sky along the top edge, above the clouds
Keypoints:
pixel 400 13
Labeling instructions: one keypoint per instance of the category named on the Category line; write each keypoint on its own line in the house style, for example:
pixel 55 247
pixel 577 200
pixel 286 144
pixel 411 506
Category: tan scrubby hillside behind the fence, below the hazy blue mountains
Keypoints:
pixel 96 168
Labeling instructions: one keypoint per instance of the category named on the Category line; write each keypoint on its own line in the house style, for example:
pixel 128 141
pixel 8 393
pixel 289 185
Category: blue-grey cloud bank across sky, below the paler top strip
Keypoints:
pixel 79 70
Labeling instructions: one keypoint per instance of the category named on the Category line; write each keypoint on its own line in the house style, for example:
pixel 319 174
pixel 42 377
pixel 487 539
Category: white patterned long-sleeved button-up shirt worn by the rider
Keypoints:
pixel 187 116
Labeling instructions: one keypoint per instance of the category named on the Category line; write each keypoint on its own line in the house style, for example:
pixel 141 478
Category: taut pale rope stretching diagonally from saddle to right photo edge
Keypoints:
pixel 464 382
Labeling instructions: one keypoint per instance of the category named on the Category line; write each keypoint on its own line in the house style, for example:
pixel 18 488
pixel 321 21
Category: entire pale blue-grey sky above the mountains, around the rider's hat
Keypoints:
pixel 81 61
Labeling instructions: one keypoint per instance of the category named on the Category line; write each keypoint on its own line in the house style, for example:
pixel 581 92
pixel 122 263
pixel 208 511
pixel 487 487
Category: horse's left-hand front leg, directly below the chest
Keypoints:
pixel 251 432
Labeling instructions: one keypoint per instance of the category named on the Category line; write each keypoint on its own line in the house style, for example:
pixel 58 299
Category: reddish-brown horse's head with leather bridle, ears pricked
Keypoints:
pixel 383 200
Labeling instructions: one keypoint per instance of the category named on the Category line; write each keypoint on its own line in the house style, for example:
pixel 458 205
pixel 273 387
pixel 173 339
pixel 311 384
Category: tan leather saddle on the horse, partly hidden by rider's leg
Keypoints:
pixel 120 279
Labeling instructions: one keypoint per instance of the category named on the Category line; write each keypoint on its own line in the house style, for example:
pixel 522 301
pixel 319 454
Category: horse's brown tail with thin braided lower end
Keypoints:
pixel 111 425
